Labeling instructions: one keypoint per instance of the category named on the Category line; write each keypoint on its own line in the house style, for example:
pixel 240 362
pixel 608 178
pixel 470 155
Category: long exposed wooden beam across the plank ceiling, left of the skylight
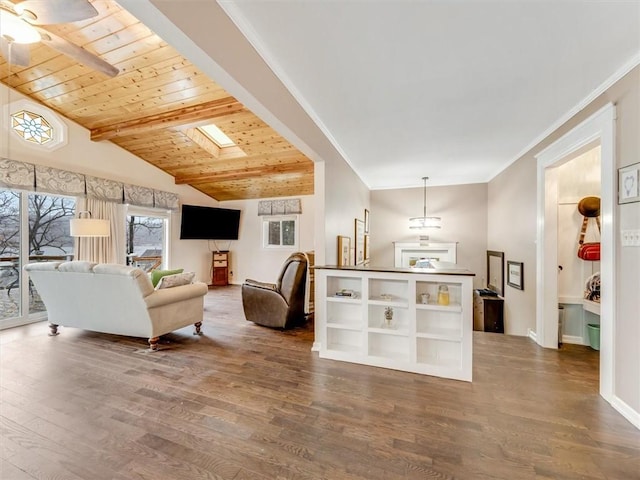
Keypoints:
pixel 174 118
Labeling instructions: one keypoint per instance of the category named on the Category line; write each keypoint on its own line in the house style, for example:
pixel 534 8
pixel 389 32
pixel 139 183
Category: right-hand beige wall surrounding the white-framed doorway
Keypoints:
pixel 512 228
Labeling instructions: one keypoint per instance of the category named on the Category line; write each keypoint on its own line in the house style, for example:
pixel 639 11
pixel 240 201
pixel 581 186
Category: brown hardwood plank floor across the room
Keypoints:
pixel 246 402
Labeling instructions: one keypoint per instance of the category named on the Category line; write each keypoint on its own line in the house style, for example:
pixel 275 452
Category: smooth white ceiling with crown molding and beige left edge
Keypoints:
pixel 404 89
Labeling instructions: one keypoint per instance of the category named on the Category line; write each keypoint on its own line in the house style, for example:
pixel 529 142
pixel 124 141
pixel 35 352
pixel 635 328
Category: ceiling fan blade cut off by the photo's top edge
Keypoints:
pixel 49 12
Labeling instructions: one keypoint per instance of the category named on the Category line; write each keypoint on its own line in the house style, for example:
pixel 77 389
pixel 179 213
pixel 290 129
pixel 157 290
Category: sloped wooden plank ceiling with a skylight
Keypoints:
pixel 153 106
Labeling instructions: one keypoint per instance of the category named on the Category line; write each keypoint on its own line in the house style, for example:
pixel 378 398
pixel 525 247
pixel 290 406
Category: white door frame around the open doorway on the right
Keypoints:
pixel 600 128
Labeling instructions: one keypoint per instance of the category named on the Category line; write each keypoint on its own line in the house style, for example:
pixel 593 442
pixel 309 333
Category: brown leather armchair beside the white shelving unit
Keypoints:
pixel 281 304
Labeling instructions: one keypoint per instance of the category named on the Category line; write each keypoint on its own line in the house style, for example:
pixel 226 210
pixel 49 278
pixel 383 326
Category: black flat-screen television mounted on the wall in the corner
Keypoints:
pixel 209 223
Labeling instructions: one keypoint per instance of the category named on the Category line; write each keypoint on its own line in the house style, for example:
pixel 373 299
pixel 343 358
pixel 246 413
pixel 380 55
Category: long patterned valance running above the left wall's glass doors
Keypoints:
pixel 26 176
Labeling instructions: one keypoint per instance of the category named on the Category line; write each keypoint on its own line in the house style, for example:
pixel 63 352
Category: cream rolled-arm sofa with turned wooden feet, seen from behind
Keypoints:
pixel 114 299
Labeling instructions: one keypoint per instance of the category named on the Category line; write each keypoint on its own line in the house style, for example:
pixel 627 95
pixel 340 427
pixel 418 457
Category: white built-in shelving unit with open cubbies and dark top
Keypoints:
pixel 427 338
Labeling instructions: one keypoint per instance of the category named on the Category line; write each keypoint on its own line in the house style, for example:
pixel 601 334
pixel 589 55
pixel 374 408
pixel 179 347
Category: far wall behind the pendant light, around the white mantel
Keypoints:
pixel 463 209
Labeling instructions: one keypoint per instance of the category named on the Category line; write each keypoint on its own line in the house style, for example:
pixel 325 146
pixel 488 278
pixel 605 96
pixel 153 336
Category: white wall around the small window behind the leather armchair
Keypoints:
pixel 248 258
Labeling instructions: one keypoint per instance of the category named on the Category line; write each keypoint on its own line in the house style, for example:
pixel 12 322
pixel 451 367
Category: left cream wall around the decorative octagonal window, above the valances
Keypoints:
pixel 106 160
